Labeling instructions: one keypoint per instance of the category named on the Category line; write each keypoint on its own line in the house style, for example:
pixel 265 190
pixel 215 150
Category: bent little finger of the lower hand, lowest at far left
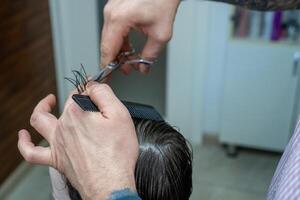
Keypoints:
pixel 33 154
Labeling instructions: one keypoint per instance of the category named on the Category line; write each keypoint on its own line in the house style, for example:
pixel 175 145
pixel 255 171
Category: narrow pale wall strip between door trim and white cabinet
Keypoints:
pixel 218 31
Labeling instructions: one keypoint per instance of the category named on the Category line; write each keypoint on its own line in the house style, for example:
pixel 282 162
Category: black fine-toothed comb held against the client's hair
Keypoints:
pixel 136 110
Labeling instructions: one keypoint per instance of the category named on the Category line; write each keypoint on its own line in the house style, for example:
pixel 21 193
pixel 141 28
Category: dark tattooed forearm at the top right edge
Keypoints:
pixel 264 5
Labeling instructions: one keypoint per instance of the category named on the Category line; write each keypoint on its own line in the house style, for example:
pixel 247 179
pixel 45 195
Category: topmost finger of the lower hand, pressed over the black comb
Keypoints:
pixel 105 99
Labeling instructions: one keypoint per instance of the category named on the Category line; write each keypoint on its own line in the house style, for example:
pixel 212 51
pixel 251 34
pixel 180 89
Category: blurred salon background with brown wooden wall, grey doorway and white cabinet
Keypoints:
pixel 229 80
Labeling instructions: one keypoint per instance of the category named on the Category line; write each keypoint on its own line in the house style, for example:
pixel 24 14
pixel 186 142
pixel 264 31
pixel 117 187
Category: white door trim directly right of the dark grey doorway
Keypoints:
pixel 186 62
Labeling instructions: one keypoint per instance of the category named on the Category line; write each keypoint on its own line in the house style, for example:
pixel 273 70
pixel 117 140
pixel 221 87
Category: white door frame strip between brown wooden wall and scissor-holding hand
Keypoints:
pixel 75 27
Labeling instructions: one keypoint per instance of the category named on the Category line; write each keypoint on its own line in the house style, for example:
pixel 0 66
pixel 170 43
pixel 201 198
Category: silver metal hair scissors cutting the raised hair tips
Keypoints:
pixel 126 57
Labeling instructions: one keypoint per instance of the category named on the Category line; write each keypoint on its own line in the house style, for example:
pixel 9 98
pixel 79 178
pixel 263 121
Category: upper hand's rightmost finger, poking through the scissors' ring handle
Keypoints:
pixel 150 52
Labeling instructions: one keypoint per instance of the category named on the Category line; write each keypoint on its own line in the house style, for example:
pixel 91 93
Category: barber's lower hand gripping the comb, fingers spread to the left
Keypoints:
pixel 97 151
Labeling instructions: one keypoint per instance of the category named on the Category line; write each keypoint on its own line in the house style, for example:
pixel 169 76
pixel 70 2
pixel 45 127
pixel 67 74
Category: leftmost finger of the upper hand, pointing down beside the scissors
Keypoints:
pixel 111 41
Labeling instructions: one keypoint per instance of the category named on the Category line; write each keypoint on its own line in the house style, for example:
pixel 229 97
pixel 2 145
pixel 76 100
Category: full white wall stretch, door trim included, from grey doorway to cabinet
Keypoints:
pixel 196 58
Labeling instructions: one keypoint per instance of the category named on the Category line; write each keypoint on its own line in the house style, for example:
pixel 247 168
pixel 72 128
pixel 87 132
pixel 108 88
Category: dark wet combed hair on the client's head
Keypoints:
pixel 164 166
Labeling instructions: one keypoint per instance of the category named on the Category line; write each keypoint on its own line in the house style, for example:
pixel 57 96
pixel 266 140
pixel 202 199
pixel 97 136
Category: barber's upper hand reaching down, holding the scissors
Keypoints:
pixel 154 18
